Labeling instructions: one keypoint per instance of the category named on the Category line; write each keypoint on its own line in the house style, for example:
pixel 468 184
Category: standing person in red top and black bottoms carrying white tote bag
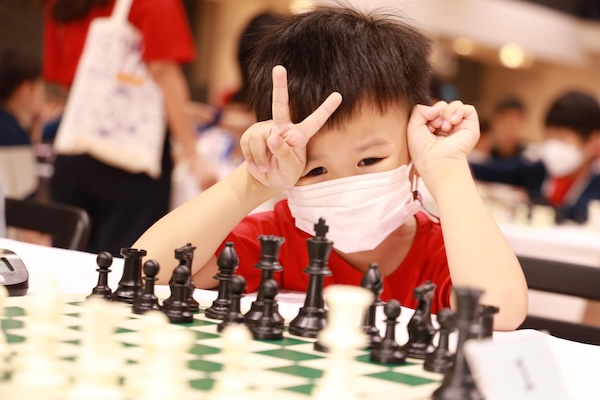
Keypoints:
pixel 122 205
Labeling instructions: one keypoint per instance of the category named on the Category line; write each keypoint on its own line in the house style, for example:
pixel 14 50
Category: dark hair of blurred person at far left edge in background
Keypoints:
pixel 17 66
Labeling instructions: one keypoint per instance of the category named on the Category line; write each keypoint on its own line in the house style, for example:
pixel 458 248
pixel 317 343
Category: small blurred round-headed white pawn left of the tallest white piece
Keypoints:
pixel 231 384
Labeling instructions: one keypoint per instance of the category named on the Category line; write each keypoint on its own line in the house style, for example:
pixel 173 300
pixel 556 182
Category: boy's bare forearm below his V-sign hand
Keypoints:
pixel 204 221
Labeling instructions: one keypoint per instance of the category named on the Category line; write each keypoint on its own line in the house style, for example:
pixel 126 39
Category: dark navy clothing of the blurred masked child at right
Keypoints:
pixel 532 176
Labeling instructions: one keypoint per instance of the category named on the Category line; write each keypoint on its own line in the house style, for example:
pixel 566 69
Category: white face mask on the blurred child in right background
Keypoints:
pixel 560 158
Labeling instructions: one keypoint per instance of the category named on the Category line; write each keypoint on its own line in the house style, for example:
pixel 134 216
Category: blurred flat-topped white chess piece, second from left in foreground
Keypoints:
pixel 100 360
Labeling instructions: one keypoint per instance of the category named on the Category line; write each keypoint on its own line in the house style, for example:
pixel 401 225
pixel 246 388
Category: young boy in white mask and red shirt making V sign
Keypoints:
pixel 351 162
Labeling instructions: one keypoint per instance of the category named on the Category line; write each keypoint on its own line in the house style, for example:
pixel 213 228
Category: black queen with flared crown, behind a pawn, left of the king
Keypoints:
pixel 268 264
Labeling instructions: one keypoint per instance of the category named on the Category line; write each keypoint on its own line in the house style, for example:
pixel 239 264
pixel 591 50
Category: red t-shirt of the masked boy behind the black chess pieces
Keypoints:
pixel 426 260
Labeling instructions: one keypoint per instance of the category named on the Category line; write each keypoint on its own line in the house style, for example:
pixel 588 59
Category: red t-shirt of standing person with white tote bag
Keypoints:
pixel 162 23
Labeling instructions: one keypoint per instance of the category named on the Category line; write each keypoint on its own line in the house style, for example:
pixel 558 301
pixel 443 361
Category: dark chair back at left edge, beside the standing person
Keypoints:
pixel 69 226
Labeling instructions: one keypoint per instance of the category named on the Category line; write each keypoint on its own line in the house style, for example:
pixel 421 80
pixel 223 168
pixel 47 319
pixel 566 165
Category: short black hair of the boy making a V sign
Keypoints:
pixel 374 58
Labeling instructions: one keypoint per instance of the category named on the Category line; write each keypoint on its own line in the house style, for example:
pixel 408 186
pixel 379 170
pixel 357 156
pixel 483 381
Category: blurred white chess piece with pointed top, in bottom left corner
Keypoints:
pixel 38 373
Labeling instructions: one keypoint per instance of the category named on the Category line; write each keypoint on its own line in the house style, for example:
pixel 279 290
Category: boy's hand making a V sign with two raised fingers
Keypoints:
pixel 275 151
